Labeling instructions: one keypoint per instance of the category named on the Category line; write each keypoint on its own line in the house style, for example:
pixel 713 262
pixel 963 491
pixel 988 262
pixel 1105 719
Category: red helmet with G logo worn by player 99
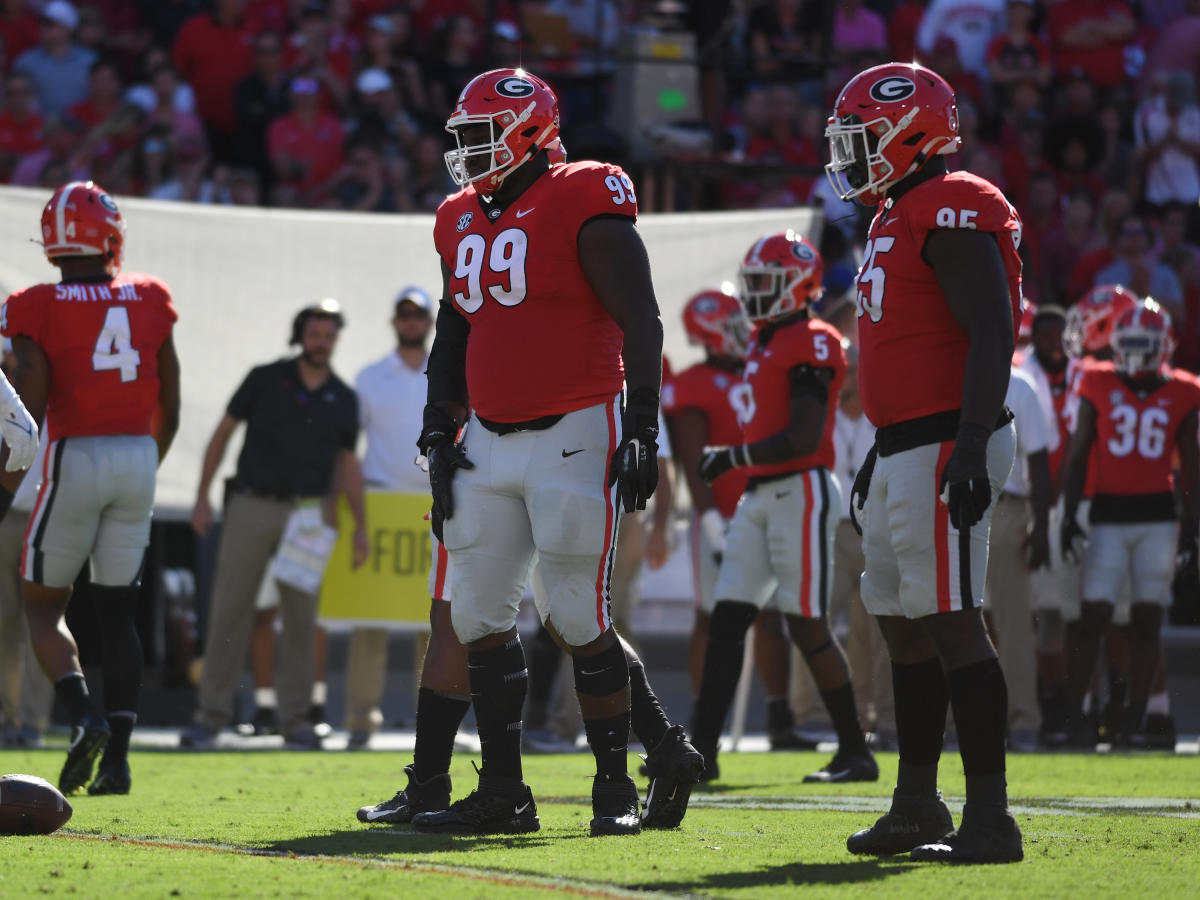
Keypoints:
pixel 521 116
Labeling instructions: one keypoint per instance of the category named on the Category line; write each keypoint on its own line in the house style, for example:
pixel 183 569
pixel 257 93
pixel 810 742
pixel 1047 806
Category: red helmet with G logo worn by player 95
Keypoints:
pixel 889 122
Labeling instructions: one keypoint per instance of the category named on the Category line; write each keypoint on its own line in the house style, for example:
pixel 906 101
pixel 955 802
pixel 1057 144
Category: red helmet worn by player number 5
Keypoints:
pixel 781 274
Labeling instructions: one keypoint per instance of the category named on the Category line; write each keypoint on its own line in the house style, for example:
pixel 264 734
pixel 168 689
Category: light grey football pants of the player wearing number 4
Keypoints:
pixel 95 503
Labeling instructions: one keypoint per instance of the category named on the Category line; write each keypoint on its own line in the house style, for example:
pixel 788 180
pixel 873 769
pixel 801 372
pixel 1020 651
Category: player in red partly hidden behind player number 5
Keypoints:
pixel 700 410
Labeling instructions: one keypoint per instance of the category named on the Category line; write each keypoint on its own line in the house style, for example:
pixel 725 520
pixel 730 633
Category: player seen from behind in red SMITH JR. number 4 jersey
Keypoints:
pixel 97 357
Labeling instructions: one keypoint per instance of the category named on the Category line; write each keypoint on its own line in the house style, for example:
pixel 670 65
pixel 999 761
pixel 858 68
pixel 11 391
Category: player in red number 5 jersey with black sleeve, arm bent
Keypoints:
pixel 795 367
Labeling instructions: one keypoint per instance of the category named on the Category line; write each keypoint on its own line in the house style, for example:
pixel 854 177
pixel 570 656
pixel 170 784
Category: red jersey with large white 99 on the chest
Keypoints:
pixel 541 343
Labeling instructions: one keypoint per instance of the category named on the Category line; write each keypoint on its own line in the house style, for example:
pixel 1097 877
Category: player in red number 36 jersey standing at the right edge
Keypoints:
pixel 1133 413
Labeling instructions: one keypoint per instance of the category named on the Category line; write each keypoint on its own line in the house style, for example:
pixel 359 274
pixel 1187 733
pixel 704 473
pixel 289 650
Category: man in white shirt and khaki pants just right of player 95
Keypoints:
pixel 1017 548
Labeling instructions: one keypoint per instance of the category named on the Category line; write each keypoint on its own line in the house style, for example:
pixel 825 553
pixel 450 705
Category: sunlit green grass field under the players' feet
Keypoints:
pixel 283 825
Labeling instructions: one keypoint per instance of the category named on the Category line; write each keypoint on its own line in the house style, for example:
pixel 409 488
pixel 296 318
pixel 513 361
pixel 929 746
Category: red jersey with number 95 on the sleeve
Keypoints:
pixel 913 353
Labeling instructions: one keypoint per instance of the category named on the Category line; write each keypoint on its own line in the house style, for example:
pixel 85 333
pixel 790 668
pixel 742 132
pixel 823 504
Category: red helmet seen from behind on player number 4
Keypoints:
pixel 82 220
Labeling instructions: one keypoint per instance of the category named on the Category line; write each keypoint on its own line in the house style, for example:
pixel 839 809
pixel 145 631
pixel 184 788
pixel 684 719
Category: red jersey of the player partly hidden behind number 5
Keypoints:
pixel 712 392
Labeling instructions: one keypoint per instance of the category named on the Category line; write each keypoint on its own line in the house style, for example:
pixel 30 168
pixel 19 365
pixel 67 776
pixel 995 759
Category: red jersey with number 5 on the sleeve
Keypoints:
pixel 765 403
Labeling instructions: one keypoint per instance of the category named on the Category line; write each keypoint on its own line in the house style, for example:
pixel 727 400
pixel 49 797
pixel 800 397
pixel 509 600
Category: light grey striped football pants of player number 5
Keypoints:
pixel 781 545
